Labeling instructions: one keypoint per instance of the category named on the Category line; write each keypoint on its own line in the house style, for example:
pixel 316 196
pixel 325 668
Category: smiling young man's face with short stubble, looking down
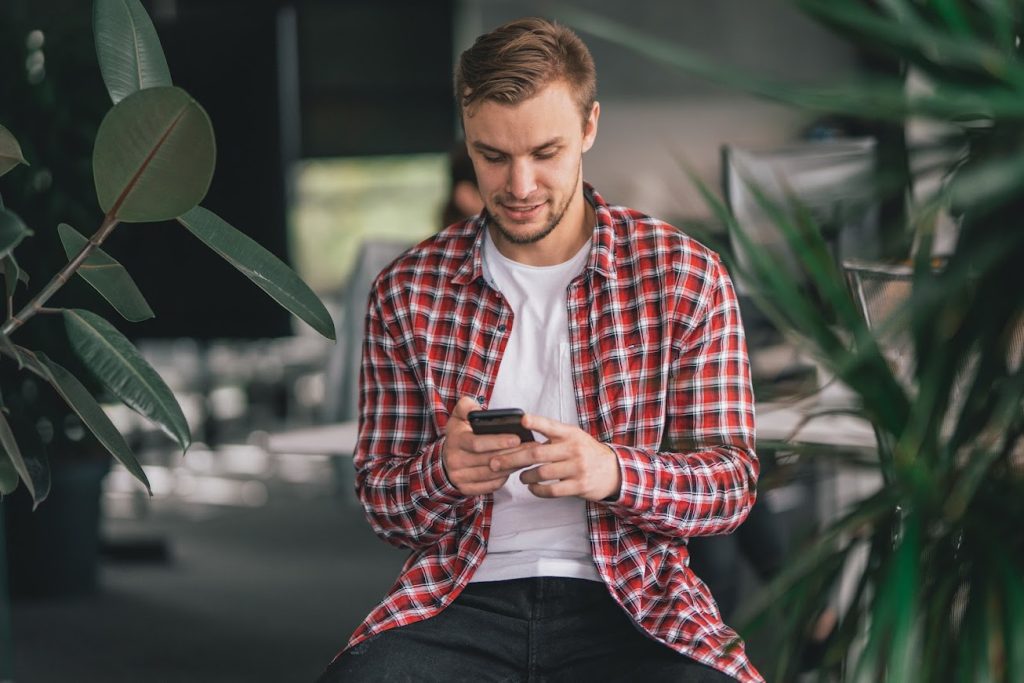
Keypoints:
pixel 528 159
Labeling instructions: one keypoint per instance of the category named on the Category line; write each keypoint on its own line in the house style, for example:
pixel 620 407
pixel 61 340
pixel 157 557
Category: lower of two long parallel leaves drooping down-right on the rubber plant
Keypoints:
pixel 80 401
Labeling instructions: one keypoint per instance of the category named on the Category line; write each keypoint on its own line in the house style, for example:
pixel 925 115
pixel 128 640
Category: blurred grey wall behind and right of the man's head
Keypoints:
pixel 654 115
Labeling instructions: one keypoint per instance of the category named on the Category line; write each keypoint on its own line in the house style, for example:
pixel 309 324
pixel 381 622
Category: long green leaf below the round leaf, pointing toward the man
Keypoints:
pixel 260 266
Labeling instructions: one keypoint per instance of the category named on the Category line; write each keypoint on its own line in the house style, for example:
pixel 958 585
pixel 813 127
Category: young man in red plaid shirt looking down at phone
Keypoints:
pixel 563 559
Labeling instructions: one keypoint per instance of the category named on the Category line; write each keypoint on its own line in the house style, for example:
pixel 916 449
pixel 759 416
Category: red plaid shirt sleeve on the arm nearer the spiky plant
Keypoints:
pixel 703 480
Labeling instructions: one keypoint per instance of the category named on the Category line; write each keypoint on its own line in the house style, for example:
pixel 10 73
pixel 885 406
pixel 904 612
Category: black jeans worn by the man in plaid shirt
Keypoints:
pixel 529 630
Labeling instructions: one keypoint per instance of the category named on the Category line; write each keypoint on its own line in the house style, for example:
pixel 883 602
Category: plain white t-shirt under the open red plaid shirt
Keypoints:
pixel 531 536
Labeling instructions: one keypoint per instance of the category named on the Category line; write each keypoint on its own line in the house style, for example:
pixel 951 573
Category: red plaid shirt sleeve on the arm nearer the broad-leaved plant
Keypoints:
pixel 400 477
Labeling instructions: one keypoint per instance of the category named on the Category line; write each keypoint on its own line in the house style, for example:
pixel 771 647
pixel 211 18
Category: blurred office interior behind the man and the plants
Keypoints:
pixel 334 122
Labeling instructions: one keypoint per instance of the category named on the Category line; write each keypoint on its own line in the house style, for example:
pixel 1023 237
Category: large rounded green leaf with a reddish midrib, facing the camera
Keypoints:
pixel 154 157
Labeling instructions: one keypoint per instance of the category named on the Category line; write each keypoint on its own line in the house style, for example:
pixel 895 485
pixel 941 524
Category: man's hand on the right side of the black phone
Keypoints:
pixel 572 463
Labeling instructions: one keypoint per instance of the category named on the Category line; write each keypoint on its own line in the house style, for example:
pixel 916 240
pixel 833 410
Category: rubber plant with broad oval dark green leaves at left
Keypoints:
pixel 153 160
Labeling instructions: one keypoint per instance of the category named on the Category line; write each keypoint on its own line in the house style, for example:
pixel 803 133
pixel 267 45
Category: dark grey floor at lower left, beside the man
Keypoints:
pixel 246 594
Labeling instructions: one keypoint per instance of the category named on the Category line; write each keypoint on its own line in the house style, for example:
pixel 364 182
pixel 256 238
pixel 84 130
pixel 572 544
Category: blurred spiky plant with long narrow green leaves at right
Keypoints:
pixel 941 596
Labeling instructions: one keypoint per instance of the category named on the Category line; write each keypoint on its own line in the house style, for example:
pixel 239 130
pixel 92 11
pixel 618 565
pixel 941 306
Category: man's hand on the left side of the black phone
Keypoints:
pixel 467 456
